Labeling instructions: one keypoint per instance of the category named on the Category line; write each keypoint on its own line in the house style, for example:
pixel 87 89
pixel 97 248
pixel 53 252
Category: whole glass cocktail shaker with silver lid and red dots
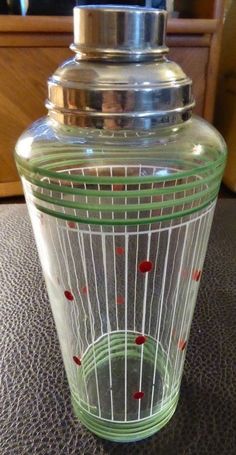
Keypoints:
pixel 121 183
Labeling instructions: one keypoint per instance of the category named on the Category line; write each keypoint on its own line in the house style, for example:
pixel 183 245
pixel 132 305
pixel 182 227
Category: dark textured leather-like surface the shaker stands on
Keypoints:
pixel 36 415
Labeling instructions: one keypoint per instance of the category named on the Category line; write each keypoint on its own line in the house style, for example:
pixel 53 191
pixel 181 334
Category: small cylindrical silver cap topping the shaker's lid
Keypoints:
pixel 128 33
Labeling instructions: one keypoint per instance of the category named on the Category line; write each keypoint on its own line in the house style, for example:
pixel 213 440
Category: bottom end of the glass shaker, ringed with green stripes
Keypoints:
pixel 118 409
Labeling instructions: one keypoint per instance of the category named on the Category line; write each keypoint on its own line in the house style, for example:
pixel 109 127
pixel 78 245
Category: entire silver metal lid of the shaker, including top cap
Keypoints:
pixel 119 78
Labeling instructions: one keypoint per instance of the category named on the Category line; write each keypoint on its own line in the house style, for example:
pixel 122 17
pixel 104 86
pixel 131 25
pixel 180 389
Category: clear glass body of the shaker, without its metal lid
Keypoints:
pixel 121 221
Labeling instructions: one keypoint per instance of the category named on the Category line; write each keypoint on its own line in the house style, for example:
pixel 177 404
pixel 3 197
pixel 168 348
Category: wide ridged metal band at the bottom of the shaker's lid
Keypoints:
pixel 120 108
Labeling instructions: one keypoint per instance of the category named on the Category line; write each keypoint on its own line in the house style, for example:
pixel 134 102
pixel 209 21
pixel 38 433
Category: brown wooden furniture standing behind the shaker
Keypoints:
pixel 32 47
